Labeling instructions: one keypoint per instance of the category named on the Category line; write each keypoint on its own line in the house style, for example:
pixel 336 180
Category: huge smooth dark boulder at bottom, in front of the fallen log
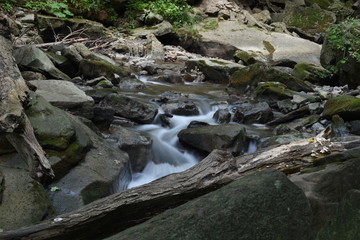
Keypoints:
pixel 262 206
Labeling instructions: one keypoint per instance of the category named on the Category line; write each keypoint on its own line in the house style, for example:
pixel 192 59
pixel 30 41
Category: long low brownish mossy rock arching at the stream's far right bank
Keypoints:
pixel 253 74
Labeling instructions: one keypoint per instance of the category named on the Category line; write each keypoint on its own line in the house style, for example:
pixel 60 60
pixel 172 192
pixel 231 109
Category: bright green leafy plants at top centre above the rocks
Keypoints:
pixel 174 11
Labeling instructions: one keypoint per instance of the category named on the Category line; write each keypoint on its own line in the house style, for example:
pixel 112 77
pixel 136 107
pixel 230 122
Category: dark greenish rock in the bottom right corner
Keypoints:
pixel 345 224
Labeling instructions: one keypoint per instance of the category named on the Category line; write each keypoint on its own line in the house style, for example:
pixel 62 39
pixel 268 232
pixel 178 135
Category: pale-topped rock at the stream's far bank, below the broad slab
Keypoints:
pixel 216 71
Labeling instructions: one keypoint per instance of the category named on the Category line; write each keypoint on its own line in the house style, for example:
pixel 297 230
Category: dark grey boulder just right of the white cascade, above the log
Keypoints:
pixel 231 137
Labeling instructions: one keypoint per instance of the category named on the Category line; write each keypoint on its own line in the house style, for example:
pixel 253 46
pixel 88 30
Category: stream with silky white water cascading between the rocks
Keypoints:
pixel 169 156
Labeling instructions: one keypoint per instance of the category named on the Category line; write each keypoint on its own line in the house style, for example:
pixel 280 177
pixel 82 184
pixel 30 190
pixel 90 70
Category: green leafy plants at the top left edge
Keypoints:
pixel 56 8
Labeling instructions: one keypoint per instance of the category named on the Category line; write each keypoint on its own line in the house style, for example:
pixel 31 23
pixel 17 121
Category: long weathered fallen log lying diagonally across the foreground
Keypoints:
pixel 122 210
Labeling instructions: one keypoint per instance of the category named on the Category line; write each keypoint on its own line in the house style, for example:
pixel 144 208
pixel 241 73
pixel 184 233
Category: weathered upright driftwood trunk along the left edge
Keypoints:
pixel 13 122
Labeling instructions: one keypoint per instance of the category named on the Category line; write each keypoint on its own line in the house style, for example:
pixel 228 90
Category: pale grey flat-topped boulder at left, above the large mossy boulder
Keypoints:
pixel 67 96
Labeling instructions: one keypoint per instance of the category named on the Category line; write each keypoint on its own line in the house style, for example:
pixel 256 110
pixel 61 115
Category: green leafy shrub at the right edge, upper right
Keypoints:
pixel 345 37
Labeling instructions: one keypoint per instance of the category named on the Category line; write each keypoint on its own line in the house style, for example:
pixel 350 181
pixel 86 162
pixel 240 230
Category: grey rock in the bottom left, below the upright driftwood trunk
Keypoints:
pixel 23 201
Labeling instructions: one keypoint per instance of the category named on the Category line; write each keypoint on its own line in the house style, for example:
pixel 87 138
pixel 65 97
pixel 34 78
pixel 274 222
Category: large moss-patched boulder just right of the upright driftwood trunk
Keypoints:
pixel 64 140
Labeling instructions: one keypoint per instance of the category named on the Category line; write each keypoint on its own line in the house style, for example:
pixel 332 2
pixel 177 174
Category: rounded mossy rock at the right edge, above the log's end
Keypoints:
pixel 347 107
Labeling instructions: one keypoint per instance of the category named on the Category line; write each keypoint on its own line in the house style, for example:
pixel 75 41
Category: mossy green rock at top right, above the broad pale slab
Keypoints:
pixel 308 19
